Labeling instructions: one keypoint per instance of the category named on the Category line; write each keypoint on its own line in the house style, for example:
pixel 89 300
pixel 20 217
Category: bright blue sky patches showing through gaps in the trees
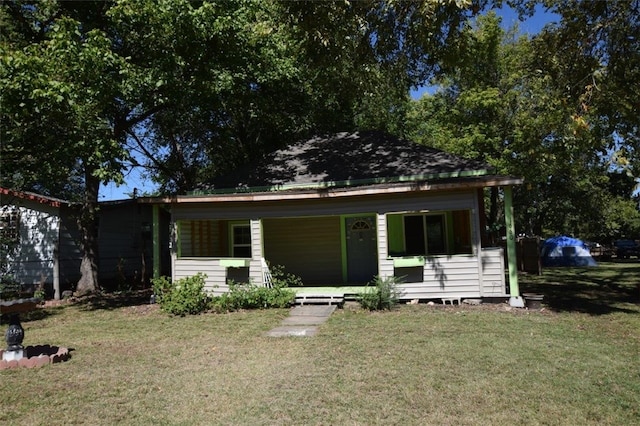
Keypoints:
pixel 135 180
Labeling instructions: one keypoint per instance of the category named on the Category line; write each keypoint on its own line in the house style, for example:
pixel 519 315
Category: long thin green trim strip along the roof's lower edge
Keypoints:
pixel 343 183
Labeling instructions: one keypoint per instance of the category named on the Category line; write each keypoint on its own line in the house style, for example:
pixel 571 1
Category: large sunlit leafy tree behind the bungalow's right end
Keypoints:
pixel 499 105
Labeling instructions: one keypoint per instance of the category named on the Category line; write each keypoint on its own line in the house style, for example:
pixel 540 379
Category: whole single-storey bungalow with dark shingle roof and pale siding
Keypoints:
pixel 338 211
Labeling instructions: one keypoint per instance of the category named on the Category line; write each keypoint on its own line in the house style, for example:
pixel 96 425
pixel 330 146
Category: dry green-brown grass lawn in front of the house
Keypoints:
pixel 575 362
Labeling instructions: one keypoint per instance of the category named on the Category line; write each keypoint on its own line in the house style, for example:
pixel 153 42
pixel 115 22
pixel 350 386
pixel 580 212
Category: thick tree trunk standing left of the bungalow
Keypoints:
pixel 88 225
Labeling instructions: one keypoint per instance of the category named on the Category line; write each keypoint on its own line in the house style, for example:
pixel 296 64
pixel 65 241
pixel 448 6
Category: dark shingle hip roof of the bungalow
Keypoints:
pixel 346 158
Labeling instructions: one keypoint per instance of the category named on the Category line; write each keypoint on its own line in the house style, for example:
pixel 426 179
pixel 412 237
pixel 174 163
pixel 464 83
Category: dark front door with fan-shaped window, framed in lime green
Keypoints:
pixel 362 263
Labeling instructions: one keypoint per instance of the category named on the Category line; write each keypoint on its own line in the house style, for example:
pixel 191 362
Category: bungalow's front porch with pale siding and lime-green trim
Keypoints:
pixel 430 243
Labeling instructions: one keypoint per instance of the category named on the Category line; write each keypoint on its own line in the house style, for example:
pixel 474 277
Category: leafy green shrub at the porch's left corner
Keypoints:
pixel 184 297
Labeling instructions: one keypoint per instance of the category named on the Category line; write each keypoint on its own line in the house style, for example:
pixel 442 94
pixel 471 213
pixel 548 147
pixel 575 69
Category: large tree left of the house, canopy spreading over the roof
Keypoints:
pixel 190 88
